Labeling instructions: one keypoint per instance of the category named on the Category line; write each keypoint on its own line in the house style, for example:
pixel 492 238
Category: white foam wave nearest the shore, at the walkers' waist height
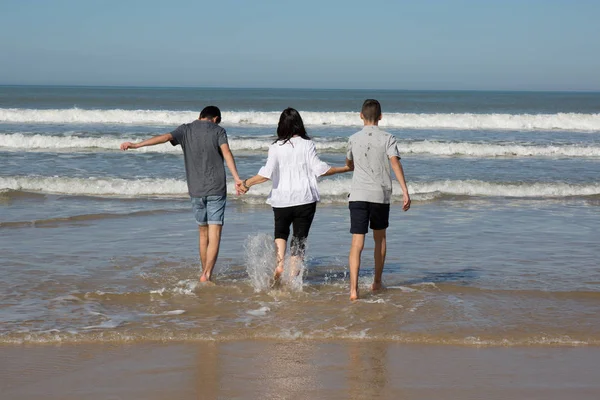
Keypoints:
pixel 330 189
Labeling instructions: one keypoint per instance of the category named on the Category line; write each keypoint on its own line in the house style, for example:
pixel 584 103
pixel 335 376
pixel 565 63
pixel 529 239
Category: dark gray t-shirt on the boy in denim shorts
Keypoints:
pixel 204 169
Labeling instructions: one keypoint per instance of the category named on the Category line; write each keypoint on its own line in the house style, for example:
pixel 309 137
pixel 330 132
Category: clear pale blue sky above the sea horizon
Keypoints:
pixel 426 44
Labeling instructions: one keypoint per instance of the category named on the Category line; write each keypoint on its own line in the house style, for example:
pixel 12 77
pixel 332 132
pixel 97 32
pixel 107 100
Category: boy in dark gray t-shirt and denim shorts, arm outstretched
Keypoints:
pixel 205 147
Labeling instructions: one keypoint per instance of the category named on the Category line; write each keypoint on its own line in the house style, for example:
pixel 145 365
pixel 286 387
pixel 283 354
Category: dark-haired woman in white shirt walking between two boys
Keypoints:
pixel 293 166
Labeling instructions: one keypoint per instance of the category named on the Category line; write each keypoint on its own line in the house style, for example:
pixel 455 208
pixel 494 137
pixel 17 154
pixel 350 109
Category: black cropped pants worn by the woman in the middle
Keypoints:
pixel 301 218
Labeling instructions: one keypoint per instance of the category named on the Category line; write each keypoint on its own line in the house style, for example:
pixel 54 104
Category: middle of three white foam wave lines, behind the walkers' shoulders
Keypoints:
pixel 37 142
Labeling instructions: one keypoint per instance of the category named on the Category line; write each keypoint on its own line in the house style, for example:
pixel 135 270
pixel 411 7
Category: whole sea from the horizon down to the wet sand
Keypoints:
pixel 500 247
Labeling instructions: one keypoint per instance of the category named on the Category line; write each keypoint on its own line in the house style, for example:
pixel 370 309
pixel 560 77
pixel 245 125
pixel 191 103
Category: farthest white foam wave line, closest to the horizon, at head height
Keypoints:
pixel 559 121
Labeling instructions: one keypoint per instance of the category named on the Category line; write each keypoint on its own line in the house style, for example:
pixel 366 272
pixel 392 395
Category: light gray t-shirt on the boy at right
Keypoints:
pixel 370 149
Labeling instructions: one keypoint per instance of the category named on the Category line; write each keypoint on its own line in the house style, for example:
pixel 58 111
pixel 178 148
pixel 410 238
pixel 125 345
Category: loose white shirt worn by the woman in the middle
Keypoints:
pixel 293 167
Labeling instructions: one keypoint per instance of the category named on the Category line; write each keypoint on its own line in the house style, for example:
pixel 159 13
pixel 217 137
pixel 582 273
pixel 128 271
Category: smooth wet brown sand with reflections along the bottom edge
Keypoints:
pixel 297 370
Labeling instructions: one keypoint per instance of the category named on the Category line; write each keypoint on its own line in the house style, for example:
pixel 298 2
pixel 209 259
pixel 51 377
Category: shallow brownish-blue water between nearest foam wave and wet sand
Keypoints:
pixel 134 277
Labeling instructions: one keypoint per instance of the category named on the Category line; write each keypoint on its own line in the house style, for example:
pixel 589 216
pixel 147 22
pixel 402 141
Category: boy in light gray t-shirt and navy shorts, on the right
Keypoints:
pixel 371 151
